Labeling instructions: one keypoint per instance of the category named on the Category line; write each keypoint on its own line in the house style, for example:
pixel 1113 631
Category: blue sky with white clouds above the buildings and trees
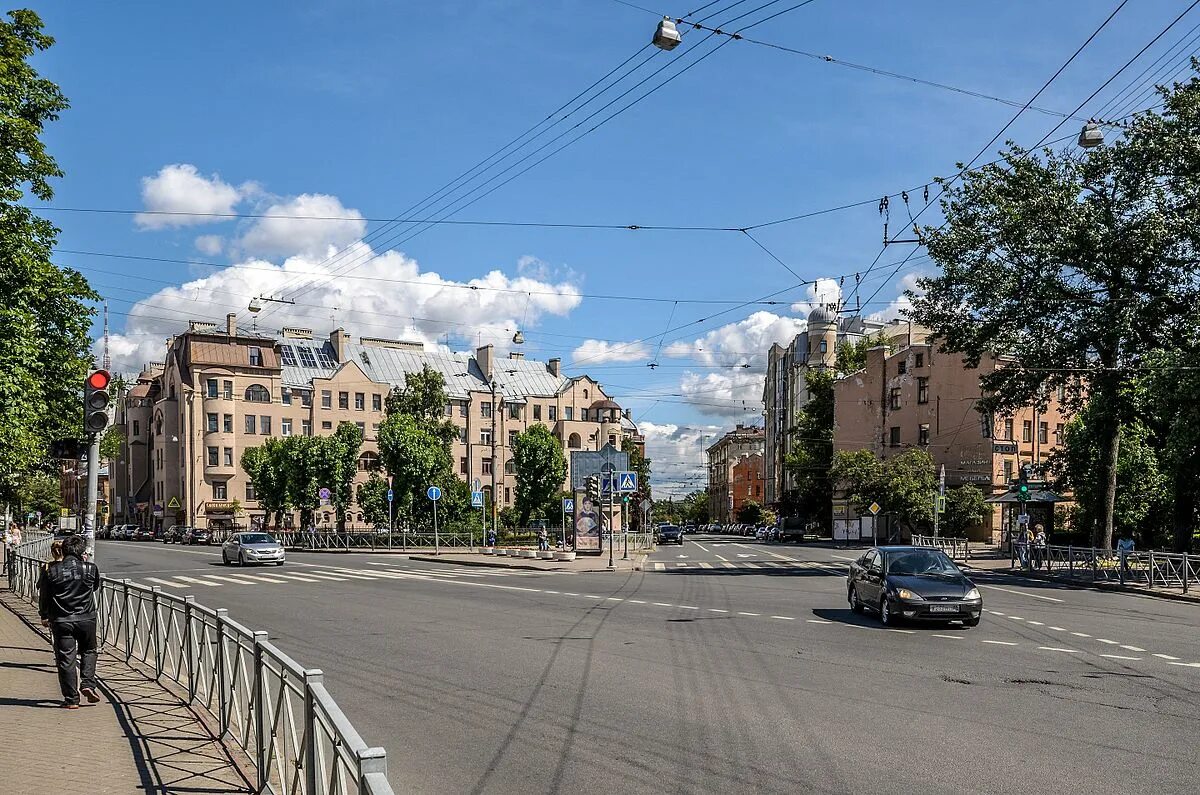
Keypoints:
pixel 357 113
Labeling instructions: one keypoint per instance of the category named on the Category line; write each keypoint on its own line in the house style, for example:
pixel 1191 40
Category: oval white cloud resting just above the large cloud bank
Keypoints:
pixel 283 235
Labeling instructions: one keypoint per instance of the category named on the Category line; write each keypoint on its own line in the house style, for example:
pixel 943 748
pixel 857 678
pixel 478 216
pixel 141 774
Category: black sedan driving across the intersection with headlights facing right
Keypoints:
pixel 913 583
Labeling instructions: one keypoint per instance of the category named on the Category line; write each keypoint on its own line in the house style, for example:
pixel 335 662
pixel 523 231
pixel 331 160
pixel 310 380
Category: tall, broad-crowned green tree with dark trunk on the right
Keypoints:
pixel 1075 267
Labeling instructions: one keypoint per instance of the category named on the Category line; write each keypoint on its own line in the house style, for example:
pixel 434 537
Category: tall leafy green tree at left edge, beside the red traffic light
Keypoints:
pixel 44 320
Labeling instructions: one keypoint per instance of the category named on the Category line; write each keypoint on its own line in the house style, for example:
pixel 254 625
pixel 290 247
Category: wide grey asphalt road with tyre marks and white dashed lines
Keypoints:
pixel 734 668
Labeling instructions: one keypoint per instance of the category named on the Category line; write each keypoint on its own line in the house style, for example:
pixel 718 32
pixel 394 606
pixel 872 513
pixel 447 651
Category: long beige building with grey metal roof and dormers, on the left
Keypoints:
pixel 221 392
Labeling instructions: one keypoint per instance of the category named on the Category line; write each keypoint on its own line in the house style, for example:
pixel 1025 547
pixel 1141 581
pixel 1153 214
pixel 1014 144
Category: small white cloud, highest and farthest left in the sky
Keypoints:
pixel 181 188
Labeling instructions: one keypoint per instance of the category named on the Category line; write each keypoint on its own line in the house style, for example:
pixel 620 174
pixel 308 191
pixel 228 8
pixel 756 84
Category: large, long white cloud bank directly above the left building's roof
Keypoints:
pixel 416 304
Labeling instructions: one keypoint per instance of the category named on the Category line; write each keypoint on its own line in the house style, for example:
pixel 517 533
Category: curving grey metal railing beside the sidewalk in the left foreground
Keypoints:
pixel 263 703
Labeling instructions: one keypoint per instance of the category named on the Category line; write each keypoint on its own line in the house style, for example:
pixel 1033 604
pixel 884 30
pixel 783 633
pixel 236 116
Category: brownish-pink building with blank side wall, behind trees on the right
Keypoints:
pixel 917 397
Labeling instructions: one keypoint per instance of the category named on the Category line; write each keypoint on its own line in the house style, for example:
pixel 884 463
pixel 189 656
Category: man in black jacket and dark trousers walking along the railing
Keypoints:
pixel 68 607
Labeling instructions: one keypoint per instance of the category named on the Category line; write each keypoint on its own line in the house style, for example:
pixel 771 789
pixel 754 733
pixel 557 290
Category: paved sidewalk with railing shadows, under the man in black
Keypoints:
pixel 140 738
